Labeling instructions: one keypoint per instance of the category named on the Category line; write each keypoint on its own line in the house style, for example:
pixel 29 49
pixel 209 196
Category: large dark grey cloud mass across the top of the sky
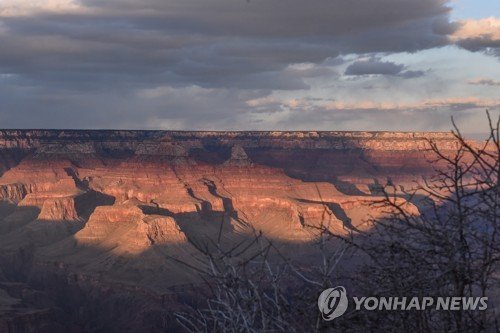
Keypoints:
pixel 126 44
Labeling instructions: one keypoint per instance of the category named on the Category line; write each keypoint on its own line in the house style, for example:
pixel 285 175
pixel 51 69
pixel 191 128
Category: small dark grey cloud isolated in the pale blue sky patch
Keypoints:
pixel 374 66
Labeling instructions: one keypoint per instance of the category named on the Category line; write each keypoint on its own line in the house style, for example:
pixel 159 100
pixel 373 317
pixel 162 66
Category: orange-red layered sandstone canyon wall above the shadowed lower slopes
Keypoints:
pixel 277 182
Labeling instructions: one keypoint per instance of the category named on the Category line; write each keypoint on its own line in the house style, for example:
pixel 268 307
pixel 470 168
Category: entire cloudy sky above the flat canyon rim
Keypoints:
pixel 395 65
